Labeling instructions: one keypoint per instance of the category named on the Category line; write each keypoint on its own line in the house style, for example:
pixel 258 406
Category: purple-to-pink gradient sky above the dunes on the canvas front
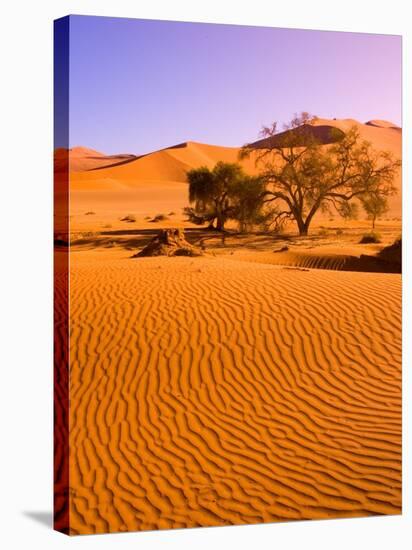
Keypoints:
pixel 139 85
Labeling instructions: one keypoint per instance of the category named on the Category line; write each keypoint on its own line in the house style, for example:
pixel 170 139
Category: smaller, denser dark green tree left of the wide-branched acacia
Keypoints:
pixel 223 193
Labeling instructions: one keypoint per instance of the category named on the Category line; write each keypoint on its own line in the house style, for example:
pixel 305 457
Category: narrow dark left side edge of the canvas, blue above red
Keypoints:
pixel 61 275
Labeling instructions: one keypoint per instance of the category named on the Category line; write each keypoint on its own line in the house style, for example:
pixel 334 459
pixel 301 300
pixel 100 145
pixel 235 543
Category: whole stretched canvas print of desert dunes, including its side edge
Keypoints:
pixel 227 275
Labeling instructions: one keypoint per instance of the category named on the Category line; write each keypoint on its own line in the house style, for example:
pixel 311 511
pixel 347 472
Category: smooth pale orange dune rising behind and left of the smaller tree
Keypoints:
pixel 138 185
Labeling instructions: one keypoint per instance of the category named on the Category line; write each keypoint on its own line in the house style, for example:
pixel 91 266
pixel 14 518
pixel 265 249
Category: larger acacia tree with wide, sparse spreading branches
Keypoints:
pixel 304 175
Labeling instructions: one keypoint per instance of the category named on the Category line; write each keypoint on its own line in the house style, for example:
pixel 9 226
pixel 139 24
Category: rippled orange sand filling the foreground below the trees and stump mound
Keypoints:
pixel 211 391
